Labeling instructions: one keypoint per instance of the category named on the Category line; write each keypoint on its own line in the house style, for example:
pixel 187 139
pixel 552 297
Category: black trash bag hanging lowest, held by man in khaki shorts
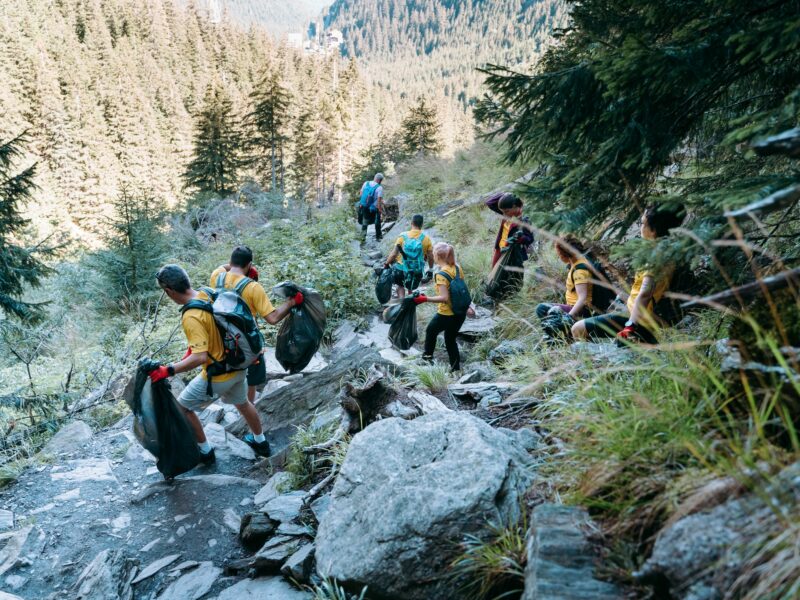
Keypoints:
pixel 159 424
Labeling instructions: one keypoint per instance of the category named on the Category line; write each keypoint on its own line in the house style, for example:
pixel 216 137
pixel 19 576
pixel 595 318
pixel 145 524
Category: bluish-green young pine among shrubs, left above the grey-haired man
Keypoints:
pixel 135 249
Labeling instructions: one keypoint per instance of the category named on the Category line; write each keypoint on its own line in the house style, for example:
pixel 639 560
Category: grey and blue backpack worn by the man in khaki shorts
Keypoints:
pixel 242 342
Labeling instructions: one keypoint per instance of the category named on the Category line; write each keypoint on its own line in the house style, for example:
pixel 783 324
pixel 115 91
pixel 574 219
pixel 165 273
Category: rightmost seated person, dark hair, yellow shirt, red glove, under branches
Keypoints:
pixel 649 286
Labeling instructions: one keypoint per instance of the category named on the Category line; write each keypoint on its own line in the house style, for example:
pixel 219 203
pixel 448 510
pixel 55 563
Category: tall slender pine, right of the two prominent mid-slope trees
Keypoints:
pixel 268 123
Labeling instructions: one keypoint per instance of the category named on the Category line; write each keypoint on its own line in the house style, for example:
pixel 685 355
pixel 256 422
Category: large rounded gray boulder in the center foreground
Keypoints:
pixel 408 492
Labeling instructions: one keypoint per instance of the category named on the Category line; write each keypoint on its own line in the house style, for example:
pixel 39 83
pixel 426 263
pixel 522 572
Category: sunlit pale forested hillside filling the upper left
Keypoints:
pixel 107 92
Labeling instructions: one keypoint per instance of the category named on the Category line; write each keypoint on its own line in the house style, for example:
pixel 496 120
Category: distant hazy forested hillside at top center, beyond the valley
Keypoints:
pixel 433 47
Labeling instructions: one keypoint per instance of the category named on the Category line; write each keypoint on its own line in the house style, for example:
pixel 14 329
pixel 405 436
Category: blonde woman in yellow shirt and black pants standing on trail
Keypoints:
pixel 445 320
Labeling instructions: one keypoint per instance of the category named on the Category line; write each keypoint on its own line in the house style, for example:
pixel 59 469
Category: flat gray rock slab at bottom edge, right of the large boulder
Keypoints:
pixel 560 558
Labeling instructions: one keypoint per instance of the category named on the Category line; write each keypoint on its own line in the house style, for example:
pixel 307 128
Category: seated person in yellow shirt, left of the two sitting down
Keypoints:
pixel 557 319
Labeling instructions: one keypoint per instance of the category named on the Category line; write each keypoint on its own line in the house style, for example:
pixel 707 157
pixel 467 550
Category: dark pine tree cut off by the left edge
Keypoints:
pixel 19 265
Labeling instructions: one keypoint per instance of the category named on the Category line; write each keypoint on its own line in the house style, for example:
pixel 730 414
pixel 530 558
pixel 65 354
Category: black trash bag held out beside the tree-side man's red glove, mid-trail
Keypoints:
pixel 301 332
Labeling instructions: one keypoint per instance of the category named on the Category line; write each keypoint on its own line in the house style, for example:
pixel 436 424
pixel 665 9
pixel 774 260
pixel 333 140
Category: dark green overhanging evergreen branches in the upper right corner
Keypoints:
pixel 650 101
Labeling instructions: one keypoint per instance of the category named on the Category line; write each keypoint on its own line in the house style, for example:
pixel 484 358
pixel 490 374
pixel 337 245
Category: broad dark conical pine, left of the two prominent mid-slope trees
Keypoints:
pixel 216 160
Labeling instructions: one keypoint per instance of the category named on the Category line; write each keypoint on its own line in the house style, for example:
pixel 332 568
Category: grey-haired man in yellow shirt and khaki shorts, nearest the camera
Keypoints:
pixel 205 347
